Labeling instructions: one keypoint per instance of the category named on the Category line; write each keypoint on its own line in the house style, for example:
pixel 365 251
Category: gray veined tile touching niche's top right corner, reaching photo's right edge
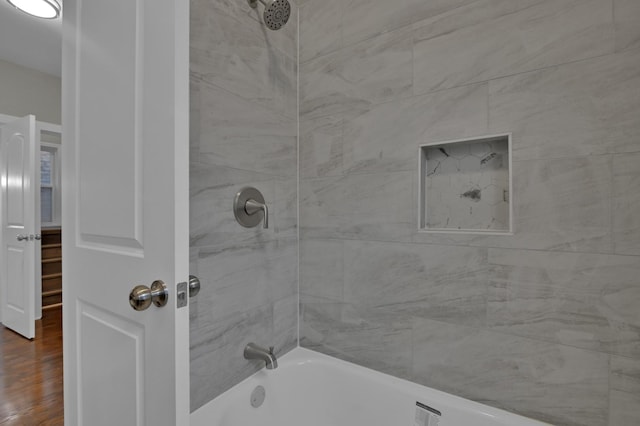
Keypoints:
pixel 584 108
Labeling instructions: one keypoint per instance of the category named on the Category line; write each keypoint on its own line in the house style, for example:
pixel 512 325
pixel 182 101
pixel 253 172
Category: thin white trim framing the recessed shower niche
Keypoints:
pixel 422 201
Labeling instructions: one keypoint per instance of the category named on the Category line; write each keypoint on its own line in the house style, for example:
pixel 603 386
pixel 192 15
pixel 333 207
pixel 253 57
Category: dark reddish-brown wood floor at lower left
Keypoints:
pixel 31 374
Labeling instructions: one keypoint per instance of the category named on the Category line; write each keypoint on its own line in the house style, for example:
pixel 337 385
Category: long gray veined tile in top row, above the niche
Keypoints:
pixel 494 38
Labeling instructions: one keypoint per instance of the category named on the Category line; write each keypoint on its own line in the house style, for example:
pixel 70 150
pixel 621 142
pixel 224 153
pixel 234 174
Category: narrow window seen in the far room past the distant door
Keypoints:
pixel 49 185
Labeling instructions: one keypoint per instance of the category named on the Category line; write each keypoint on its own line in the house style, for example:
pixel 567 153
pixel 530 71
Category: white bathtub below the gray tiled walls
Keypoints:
pixel 311 389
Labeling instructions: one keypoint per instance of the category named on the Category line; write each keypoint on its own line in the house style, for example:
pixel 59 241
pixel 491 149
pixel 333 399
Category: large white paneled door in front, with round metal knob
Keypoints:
pixel 125 210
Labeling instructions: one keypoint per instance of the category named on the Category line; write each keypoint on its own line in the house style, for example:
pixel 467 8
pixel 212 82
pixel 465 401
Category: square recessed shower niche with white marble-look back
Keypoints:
pixel 465 186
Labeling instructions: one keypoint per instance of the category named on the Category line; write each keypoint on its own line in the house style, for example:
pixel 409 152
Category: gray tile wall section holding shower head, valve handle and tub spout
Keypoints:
pixel 243 133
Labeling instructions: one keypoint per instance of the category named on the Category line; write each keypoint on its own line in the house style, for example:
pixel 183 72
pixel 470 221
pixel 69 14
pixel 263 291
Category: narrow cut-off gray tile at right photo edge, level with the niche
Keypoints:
pixel 626 203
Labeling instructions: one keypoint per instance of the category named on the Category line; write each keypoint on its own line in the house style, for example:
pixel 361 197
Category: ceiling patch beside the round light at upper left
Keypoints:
pixel 30 42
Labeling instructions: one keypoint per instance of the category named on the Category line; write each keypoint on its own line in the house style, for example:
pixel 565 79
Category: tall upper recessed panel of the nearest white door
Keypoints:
pixel 112 73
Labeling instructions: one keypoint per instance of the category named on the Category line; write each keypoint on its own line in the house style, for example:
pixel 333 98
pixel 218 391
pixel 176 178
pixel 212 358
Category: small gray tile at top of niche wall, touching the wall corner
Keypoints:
pixel 320 28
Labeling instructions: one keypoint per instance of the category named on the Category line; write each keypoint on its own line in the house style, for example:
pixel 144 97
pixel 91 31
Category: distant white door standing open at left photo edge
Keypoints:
pixel 19 157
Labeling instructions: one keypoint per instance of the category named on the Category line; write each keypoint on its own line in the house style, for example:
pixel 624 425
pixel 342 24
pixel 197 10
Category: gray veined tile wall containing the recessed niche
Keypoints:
pixel 545 322
